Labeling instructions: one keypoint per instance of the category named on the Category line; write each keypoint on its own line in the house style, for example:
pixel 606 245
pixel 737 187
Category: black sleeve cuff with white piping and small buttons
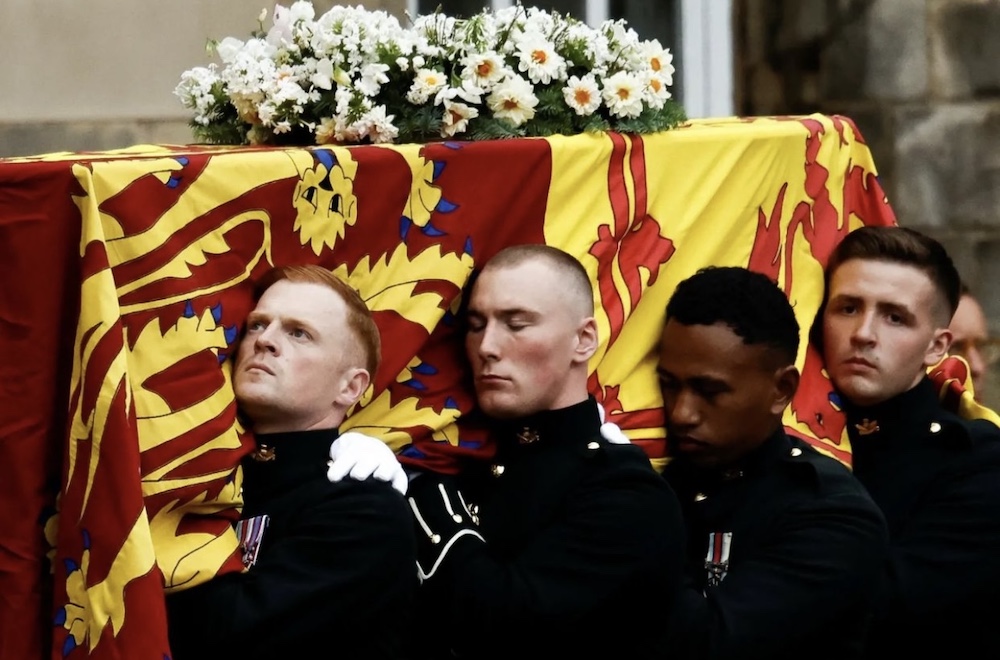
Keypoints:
pixel 443 518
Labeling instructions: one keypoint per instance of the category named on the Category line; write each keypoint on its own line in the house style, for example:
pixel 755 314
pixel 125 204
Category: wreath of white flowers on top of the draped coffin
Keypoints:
pixel 345 75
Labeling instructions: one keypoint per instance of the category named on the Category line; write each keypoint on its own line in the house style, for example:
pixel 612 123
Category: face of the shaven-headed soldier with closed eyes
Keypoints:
pixel 525 344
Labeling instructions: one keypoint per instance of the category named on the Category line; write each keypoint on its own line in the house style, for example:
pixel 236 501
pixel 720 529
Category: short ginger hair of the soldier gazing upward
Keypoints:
pixel 359 317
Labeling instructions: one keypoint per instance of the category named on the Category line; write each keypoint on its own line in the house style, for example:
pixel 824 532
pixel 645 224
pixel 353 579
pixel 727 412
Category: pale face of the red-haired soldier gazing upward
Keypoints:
pixel 292 372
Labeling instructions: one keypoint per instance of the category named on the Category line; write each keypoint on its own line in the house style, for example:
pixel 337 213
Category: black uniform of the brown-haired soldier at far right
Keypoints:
pixel 936 478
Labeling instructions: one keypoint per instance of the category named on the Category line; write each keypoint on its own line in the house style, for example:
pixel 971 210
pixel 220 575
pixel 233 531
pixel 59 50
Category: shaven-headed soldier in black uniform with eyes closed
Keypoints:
pixel 565 546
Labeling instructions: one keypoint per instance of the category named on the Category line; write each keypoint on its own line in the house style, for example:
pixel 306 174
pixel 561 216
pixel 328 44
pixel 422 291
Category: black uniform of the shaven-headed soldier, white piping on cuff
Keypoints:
pixel 565 546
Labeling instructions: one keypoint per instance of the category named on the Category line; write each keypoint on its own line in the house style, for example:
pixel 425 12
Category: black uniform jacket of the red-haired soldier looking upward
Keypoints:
pixel 335 568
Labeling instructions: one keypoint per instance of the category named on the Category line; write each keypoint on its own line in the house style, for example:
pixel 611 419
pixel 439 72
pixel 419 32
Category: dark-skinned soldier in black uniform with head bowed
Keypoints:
pixel 784 545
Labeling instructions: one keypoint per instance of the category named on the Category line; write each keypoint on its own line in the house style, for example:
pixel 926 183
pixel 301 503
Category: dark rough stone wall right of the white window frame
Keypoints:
pixel 921 80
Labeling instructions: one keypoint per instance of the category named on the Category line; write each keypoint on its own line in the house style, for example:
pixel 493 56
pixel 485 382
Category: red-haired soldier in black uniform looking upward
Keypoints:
pixel 329 565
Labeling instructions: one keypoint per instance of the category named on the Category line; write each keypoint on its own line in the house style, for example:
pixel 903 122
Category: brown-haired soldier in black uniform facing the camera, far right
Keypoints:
pixel 891 292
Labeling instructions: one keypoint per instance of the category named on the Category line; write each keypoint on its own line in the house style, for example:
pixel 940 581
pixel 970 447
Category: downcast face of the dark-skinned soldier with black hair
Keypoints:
pixel 722 398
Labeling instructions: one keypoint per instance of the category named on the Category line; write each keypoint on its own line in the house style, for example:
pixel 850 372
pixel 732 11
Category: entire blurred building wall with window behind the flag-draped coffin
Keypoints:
pixel 920 78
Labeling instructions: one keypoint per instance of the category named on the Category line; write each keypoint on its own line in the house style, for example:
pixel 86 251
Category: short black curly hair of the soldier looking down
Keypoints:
pixel 749 303
